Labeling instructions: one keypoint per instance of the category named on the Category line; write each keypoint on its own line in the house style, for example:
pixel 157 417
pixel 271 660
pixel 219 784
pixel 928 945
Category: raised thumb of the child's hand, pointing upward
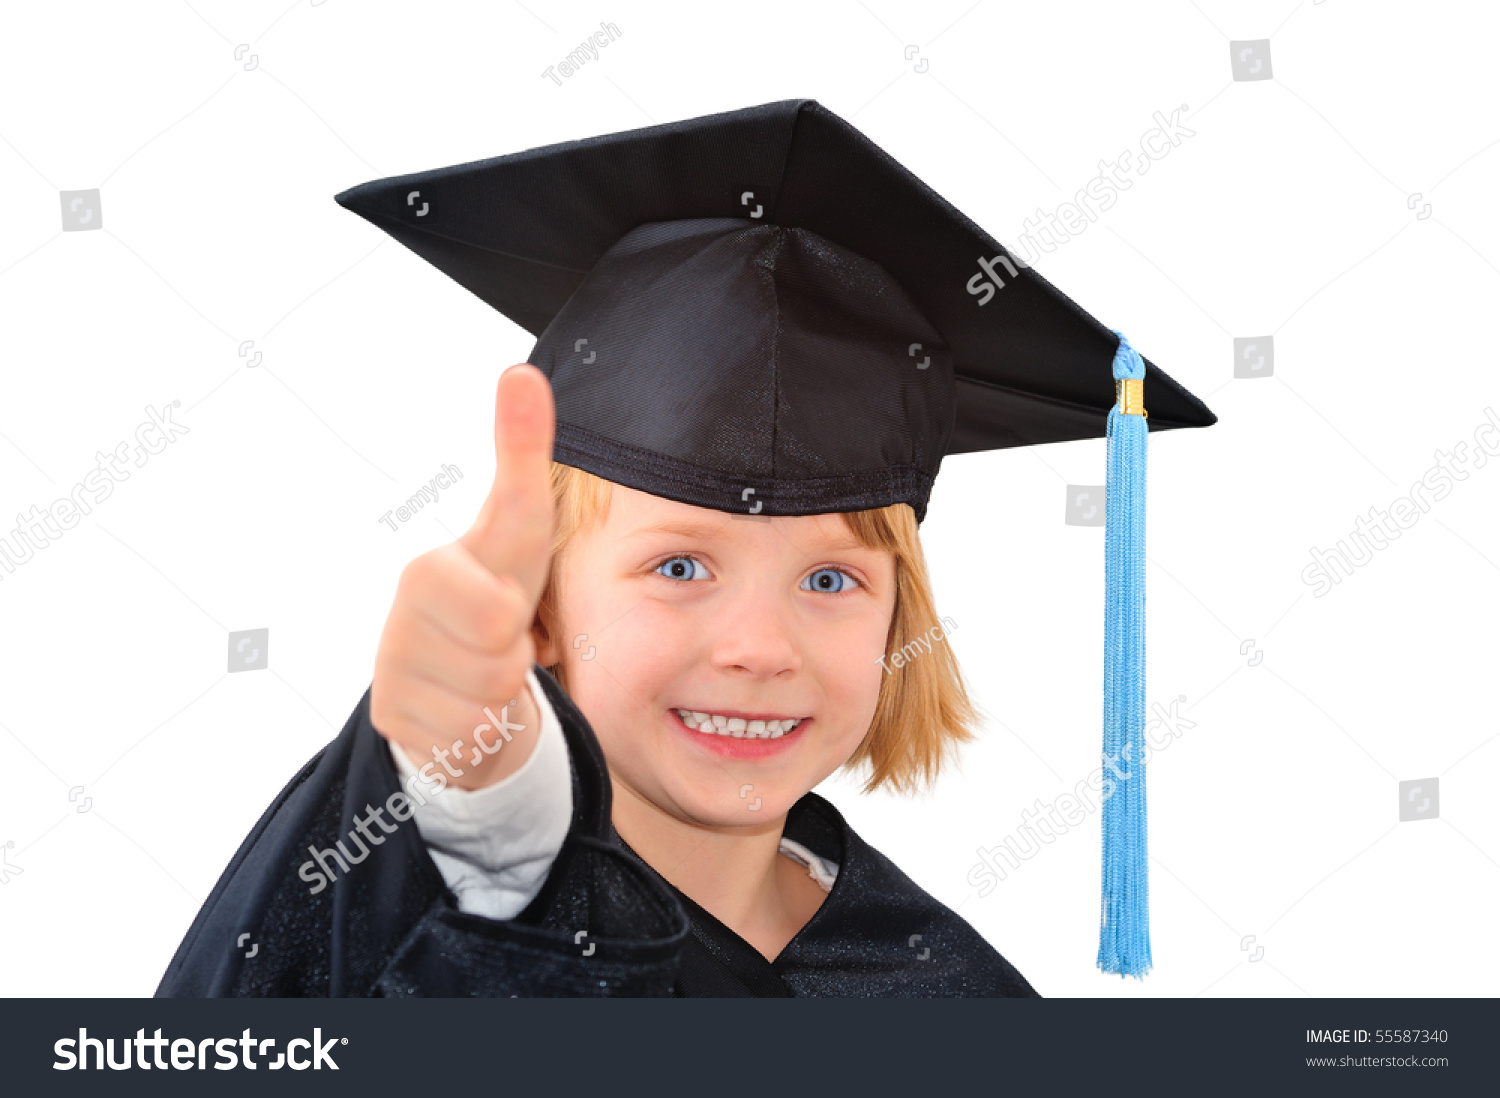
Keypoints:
pixel 512 536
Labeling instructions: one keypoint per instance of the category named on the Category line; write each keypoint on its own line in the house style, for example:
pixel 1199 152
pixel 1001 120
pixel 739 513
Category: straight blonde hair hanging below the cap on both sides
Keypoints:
pixel 923 713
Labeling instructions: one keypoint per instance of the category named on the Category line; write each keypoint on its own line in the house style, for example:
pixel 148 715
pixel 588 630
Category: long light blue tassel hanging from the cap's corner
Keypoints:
pixel 1124 917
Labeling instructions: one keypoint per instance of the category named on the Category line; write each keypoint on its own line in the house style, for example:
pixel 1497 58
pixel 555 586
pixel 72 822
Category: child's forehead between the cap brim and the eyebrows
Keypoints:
pixel 640 517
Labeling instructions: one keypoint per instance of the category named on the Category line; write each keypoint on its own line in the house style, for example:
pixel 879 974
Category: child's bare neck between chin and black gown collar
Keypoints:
pixel 734 874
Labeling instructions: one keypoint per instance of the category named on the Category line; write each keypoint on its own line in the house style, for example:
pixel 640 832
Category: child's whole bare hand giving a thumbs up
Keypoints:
pixel 460 631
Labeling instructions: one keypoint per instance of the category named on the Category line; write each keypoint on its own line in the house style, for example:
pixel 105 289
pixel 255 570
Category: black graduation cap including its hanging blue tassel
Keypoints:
pixel 763 313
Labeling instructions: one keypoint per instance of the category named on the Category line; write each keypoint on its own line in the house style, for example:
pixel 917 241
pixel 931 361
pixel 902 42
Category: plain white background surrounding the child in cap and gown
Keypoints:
pixel 1288 214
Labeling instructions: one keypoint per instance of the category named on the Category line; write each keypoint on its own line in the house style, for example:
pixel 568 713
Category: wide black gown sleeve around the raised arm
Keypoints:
pixel 391 926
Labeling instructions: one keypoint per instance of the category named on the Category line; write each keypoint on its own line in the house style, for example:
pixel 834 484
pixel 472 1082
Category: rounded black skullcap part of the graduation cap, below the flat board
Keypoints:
pixel 719 356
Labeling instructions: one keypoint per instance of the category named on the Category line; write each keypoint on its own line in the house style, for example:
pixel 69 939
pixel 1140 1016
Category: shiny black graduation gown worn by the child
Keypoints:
pixel 604 925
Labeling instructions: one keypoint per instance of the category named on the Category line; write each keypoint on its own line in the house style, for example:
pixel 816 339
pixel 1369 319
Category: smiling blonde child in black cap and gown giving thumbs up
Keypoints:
pixel 757 344
